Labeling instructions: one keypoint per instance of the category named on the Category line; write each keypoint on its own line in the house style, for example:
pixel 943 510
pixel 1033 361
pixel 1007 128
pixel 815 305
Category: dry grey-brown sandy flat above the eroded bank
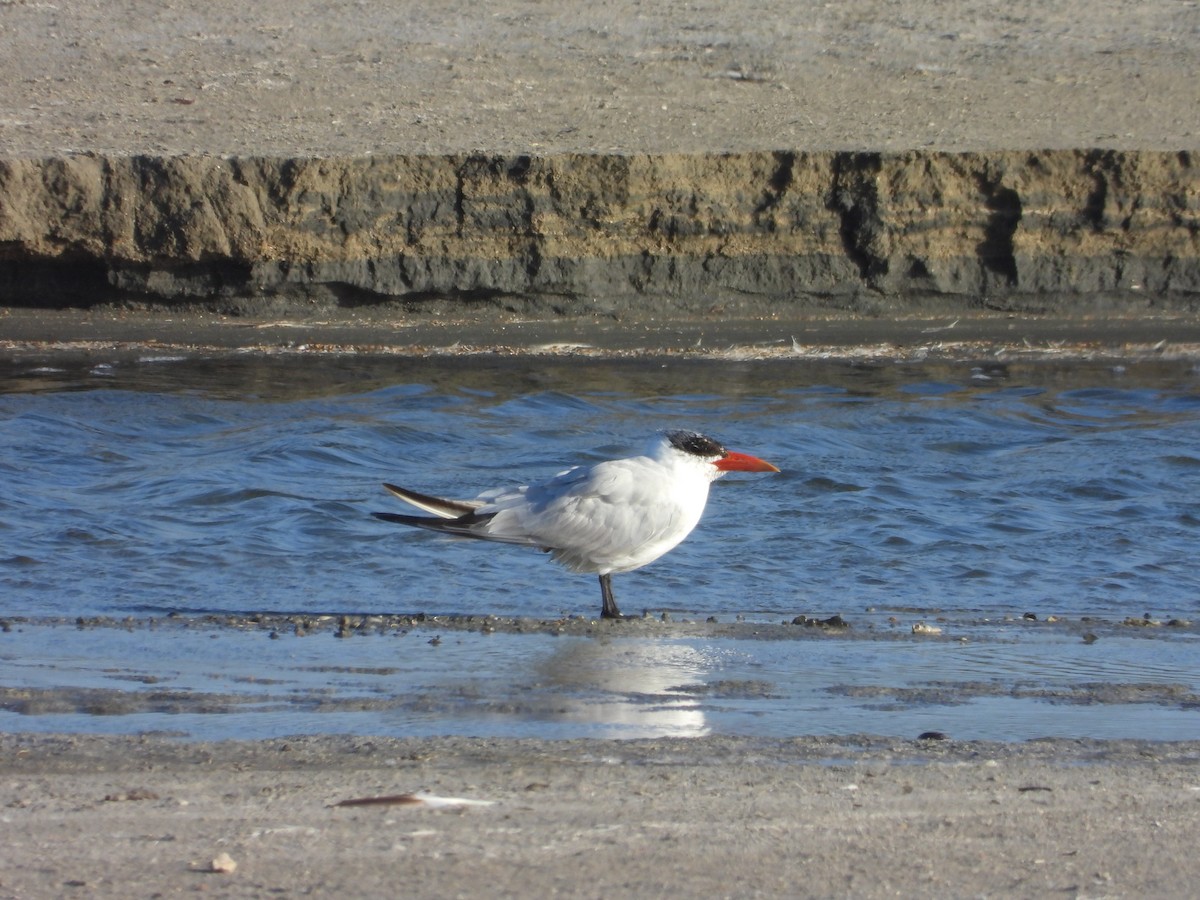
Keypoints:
pixel 286 80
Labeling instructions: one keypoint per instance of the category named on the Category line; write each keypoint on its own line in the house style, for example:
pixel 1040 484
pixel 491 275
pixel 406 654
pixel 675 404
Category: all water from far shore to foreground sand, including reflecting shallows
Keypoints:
pixel 951 495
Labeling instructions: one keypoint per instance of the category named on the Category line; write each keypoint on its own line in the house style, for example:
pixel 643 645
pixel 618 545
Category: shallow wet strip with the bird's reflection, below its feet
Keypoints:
pixel 661 675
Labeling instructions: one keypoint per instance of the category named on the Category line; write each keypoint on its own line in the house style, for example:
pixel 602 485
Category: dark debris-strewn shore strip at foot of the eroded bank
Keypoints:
pixel 464 334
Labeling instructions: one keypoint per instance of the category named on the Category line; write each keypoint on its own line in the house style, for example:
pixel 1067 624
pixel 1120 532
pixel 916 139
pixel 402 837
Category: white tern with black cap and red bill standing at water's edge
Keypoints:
pixel 611 518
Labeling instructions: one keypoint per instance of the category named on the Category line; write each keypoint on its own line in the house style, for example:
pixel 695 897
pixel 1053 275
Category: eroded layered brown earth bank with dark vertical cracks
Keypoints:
pixel 755 232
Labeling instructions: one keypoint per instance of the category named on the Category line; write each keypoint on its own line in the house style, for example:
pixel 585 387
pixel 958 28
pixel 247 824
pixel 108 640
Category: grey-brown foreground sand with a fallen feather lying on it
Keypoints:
pixel 866 818
